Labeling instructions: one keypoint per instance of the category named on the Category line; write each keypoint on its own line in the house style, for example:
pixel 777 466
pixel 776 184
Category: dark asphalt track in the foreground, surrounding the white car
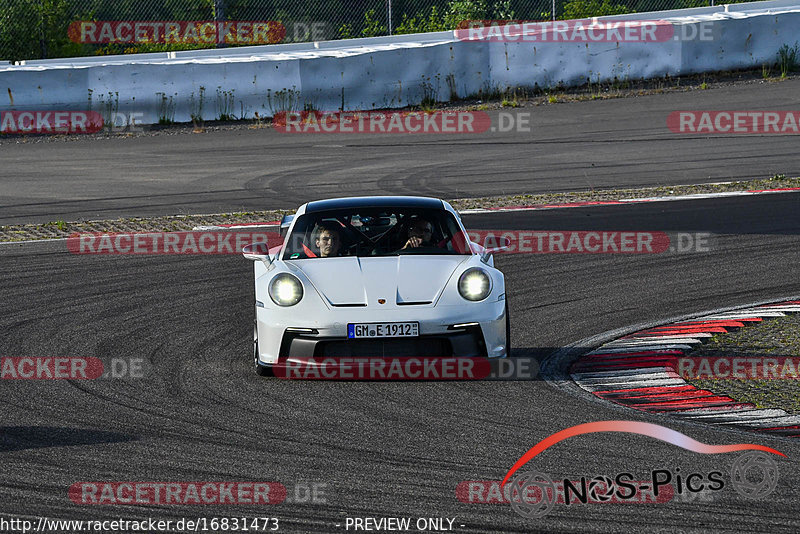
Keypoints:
pixel 382 448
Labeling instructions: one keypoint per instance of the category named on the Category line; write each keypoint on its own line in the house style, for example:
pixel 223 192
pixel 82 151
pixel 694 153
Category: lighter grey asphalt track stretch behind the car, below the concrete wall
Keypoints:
pixel 596 144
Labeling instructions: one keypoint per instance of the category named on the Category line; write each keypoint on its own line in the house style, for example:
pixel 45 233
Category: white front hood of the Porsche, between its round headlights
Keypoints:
pixel 401 280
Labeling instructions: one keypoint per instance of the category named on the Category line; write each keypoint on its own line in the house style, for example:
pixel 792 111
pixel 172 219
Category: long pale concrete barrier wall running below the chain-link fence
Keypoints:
pixel 388 72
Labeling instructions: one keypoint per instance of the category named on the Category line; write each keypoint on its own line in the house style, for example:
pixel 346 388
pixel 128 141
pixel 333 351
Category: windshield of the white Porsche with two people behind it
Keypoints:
pixel 371 232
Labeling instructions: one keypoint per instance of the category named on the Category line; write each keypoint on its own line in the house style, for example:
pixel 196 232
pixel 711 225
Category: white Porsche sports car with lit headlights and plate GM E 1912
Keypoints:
pixel 377 277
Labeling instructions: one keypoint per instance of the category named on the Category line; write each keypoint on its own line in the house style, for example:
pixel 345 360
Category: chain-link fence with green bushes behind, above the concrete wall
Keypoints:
pixel 34 29
